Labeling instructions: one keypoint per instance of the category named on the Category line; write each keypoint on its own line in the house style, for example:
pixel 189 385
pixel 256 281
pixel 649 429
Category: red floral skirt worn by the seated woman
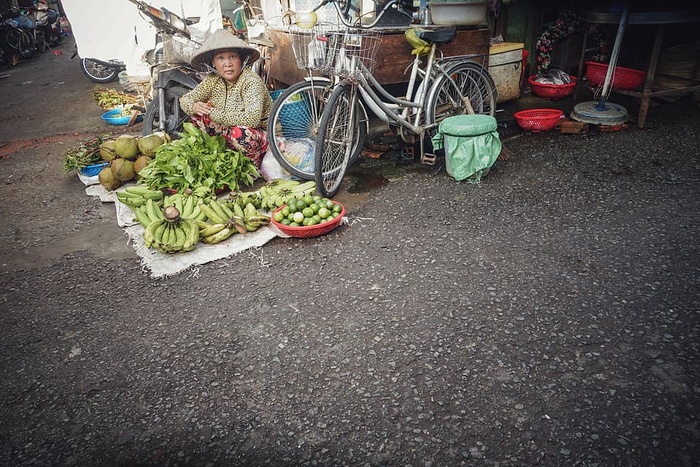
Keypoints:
pixel 252 142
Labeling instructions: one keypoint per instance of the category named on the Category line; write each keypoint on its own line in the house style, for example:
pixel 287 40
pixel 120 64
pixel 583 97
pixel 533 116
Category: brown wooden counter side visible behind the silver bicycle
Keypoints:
pixel 393 56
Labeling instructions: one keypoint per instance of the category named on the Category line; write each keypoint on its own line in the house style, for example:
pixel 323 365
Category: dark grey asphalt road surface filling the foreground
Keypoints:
pixel 547 316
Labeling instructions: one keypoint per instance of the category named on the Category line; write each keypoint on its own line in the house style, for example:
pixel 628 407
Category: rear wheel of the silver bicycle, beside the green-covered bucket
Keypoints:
pixel 467 87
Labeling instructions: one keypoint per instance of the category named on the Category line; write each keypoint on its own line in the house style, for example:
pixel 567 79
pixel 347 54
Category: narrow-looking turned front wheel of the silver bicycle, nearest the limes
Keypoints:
pixel 340 134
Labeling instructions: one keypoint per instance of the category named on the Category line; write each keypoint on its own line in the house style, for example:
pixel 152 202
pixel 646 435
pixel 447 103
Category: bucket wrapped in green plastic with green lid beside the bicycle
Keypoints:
pixel 471 144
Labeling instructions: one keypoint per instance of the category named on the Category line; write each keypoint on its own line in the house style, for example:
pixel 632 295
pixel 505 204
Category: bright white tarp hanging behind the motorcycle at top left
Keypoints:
pixel 114 29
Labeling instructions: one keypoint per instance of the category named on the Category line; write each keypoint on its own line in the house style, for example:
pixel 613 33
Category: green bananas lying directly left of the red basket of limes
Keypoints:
pixel 228 218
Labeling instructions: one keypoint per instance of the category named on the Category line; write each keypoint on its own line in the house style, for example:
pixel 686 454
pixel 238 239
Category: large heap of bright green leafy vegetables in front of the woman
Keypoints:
pixel 198 159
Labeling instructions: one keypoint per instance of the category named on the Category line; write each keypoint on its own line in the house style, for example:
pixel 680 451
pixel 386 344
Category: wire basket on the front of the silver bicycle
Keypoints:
pixel 348 48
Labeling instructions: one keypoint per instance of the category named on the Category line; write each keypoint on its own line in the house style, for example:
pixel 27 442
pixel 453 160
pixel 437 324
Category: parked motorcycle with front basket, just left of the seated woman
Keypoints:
pixel 171 74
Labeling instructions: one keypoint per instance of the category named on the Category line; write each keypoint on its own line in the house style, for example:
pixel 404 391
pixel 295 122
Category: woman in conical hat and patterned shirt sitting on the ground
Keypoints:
pixel 233 102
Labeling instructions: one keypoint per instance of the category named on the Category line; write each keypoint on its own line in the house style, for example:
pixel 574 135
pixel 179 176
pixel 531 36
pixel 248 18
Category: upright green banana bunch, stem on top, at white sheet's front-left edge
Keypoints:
pixel 172 234
